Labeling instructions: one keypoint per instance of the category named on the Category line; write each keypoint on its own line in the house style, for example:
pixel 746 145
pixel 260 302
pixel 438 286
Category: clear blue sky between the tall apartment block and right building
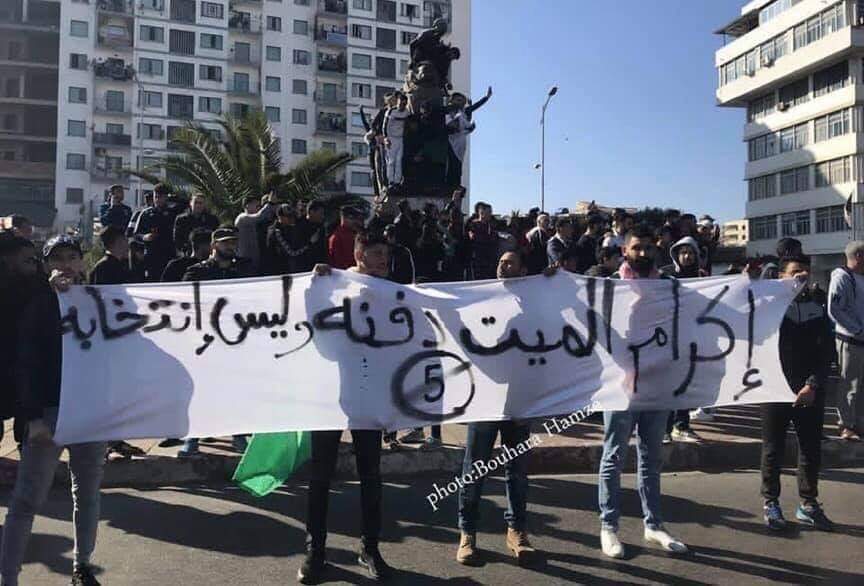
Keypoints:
pixel 635 121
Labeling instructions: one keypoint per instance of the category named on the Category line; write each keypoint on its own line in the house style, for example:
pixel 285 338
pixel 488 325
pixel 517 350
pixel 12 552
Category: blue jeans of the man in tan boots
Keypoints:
pixel 478 448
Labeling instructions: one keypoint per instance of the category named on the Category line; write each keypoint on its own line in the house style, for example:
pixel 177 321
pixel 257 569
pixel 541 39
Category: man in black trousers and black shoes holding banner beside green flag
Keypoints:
pixel 371 257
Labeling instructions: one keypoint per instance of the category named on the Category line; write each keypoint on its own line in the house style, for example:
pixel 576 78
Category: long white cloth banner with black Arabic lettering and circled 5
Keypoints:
pixel 350 351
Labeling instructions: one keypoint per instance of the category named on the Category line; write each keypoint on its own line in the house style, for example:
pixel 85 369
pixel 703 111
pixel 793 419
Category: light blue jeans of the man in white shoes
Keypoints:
pixel 618 427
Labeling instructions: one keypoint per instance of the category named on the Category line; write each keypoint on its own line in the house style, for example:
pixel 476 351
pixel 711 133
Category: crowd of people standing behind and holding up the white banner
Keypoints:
pixel 172 240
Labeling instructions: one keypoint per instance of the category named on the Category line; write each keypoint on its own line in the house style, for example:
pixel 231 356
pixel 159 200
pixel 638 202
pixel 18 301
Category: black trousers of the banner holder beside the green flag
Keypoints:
pixel 325 449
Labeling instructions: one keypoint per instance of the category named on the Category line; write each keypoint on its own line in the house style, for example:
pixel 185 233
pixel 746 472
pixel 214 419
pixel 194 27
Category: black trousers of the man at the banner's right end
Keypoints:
pixel 808 427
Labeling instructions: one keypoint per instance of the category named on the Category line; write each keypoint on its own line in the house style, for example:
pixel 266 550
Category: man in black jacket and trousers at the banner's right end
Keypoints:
pixel 805 353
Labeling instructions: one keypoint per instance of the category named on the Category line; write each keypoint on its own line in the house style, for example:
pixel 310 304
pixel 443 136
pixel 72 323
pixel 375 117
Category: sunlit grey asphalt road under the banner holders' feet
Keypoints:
pixel 219 536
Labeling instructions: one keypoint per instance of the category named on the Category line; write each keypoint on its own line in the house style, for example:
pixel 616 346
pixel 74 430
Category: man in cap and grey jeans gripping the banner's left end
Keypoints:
pixel 37 385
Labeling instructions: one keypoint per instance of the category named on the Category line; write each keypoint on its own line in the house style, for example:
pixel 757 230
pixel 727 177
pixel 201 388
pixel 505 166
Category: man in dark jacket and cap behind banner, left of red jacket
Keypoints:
pixel 222 264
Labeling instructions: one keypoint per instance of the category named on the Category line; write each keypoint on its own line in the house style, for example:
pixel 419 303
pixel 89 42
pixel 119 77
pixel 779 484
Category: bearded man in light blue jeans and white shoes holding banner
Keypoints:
pixel 640 252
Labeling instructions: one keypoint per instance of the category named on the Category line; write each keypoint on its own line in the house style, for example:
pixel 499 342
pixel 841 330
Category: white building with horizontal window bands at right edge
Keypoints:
pixel 797 68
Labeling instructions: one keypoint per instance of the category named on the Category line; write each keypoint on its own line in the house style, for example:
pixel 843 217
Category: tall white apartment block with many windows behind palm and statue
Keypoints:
pixel 133 72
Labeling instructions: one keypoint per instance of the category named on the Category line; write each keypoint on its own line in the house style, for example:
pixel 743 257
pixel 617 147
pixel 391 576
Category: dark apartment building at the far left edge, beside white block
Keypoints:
pixel 29 49
